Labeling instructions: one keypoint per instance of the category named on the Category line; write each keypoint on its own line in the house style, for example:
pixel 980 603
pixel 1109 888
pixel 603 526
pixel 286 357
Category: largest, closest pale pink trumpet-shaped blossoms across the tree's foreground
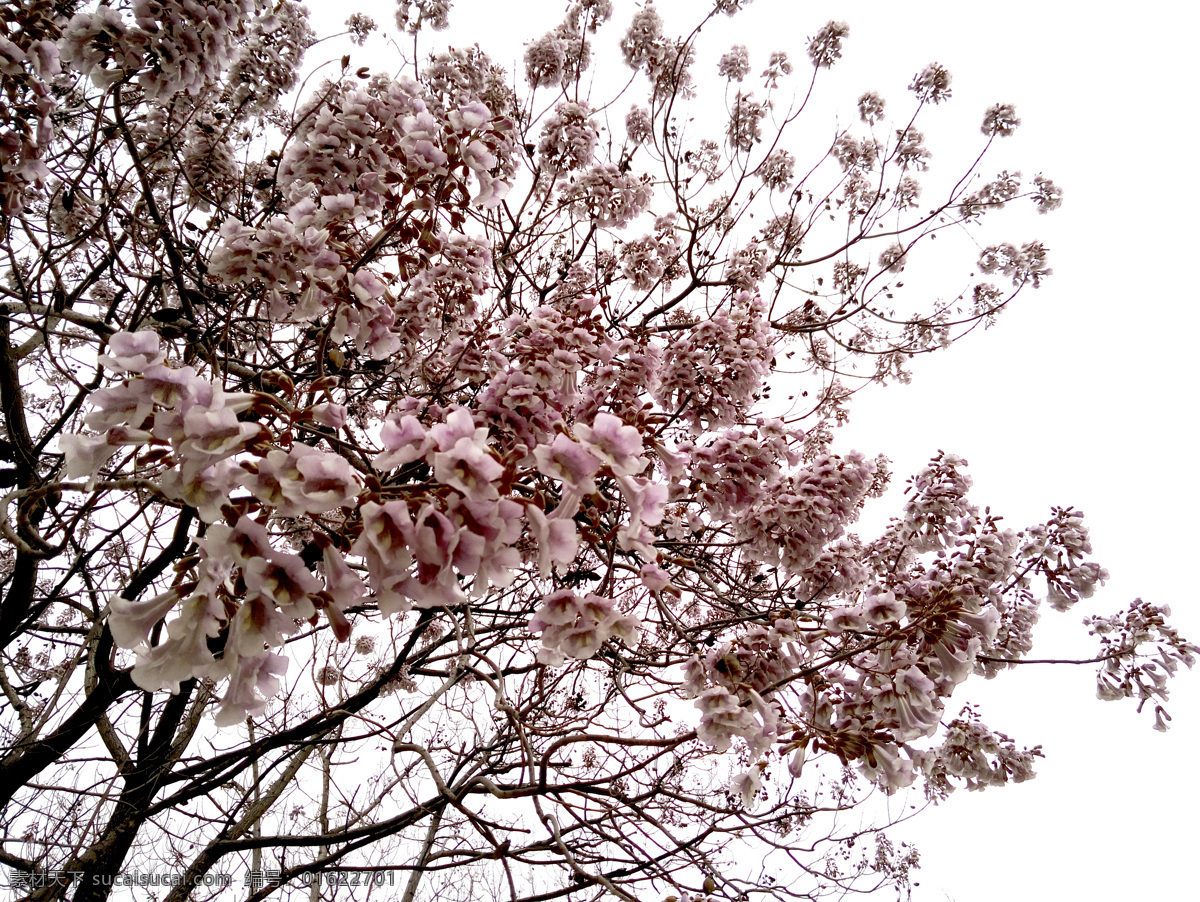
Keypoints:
pixel 425 554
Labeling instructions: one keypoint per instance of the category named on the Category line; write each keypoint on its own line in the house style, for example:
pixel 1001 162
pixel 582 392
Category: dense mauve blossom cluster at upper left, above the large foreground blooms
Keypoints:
pixel 359 153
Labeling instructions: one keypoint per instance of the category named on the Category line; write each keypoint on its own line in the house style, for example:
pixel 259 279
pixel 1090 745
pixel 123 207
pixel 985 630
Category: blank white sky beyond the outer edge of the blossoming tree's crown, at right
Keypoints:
pixel 1083 394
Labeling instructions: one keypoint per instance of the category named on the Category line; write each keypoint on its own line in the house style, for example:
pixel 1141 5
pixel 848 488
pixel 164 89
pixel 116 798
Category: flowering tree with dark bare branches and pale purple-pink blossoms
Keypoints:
pixel 397 490
